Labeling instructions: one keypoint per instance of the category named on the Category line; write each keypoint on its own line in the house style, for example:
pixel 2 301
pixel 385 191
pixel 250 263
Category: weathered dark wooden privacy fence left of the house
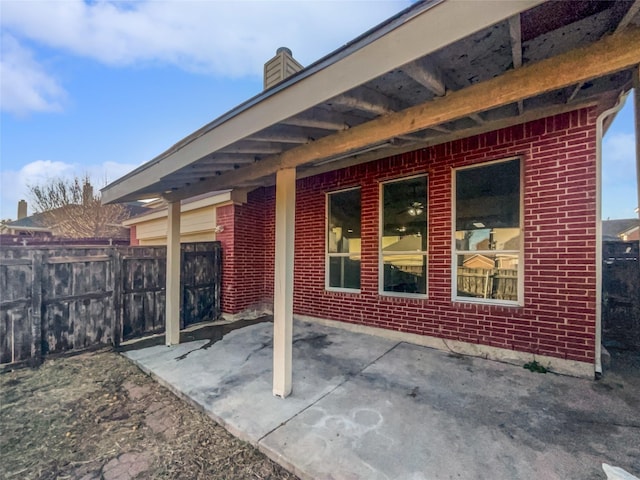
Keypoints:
pixel 58 299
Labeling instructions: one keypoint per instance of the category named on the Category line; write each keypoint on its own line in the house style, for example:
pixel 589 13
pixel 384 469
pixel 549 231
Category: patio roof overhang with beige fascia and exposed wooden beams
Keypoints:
pixel 437 71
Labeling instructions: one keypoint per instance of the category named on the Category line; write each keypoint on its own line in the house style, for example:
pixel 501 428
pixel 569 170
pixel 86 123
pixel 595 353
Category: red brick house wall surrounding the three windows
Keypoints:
pixel 558 316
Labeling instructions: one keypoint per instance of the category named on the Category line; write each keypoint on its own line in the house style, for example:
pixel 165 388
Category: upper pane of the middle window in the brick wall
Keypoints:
pixel 404 224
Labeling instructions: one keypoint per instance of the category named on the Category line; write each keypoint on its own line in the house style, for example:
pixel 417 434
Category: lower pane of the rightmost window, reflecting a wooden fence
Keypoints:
pixel 492 276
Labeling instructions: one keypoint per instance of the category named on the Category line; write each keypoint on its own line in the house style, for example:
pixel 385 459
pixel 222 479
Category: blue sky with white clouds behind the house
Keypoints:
pixel 99 87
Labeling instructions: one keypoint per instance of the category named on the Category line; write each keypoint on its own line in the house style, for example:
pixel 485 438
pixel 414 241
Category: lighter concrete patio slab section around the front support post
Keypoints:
pixel 232 379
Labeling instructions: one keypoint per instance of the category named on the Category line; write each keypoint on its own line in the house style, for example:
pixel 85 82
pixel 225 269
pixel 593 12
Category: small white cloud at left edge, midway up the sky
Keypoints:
pixel 25 86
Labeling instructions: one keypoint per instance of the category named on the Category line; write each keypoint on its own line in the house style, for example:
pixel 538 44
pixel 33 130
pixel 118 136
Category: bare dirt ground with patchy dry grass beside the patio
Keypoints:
pixel 97 416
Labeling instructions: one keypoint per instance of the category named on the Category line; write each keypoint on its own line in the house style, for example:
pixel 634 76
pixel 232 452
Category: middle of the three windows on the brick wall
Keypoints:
pixel 403 237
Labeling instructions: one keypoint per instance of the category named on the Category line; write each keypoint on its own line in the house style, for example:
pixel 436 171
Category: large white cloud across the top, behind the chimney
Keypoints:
pixel 228 38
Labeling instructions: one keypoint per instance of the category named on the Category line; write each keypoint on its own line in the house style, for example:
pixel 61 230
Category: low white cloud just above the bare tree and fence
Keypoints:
pixel 14 185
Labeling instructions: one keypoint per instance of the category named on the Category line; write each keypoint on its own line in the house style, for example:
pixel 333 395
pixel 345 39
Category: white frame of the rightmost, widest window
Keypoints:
pixel 454 252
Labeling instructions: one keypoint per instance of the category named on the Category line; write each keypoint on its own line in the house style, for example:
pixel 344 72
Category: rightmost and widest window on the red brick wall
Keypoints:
pixel 488 233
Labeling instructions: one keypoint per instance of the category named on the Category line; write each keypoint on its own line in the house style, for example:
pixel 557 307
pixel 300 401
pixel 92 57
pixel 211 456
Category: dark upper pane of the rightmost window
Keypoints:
pixel 488 197
